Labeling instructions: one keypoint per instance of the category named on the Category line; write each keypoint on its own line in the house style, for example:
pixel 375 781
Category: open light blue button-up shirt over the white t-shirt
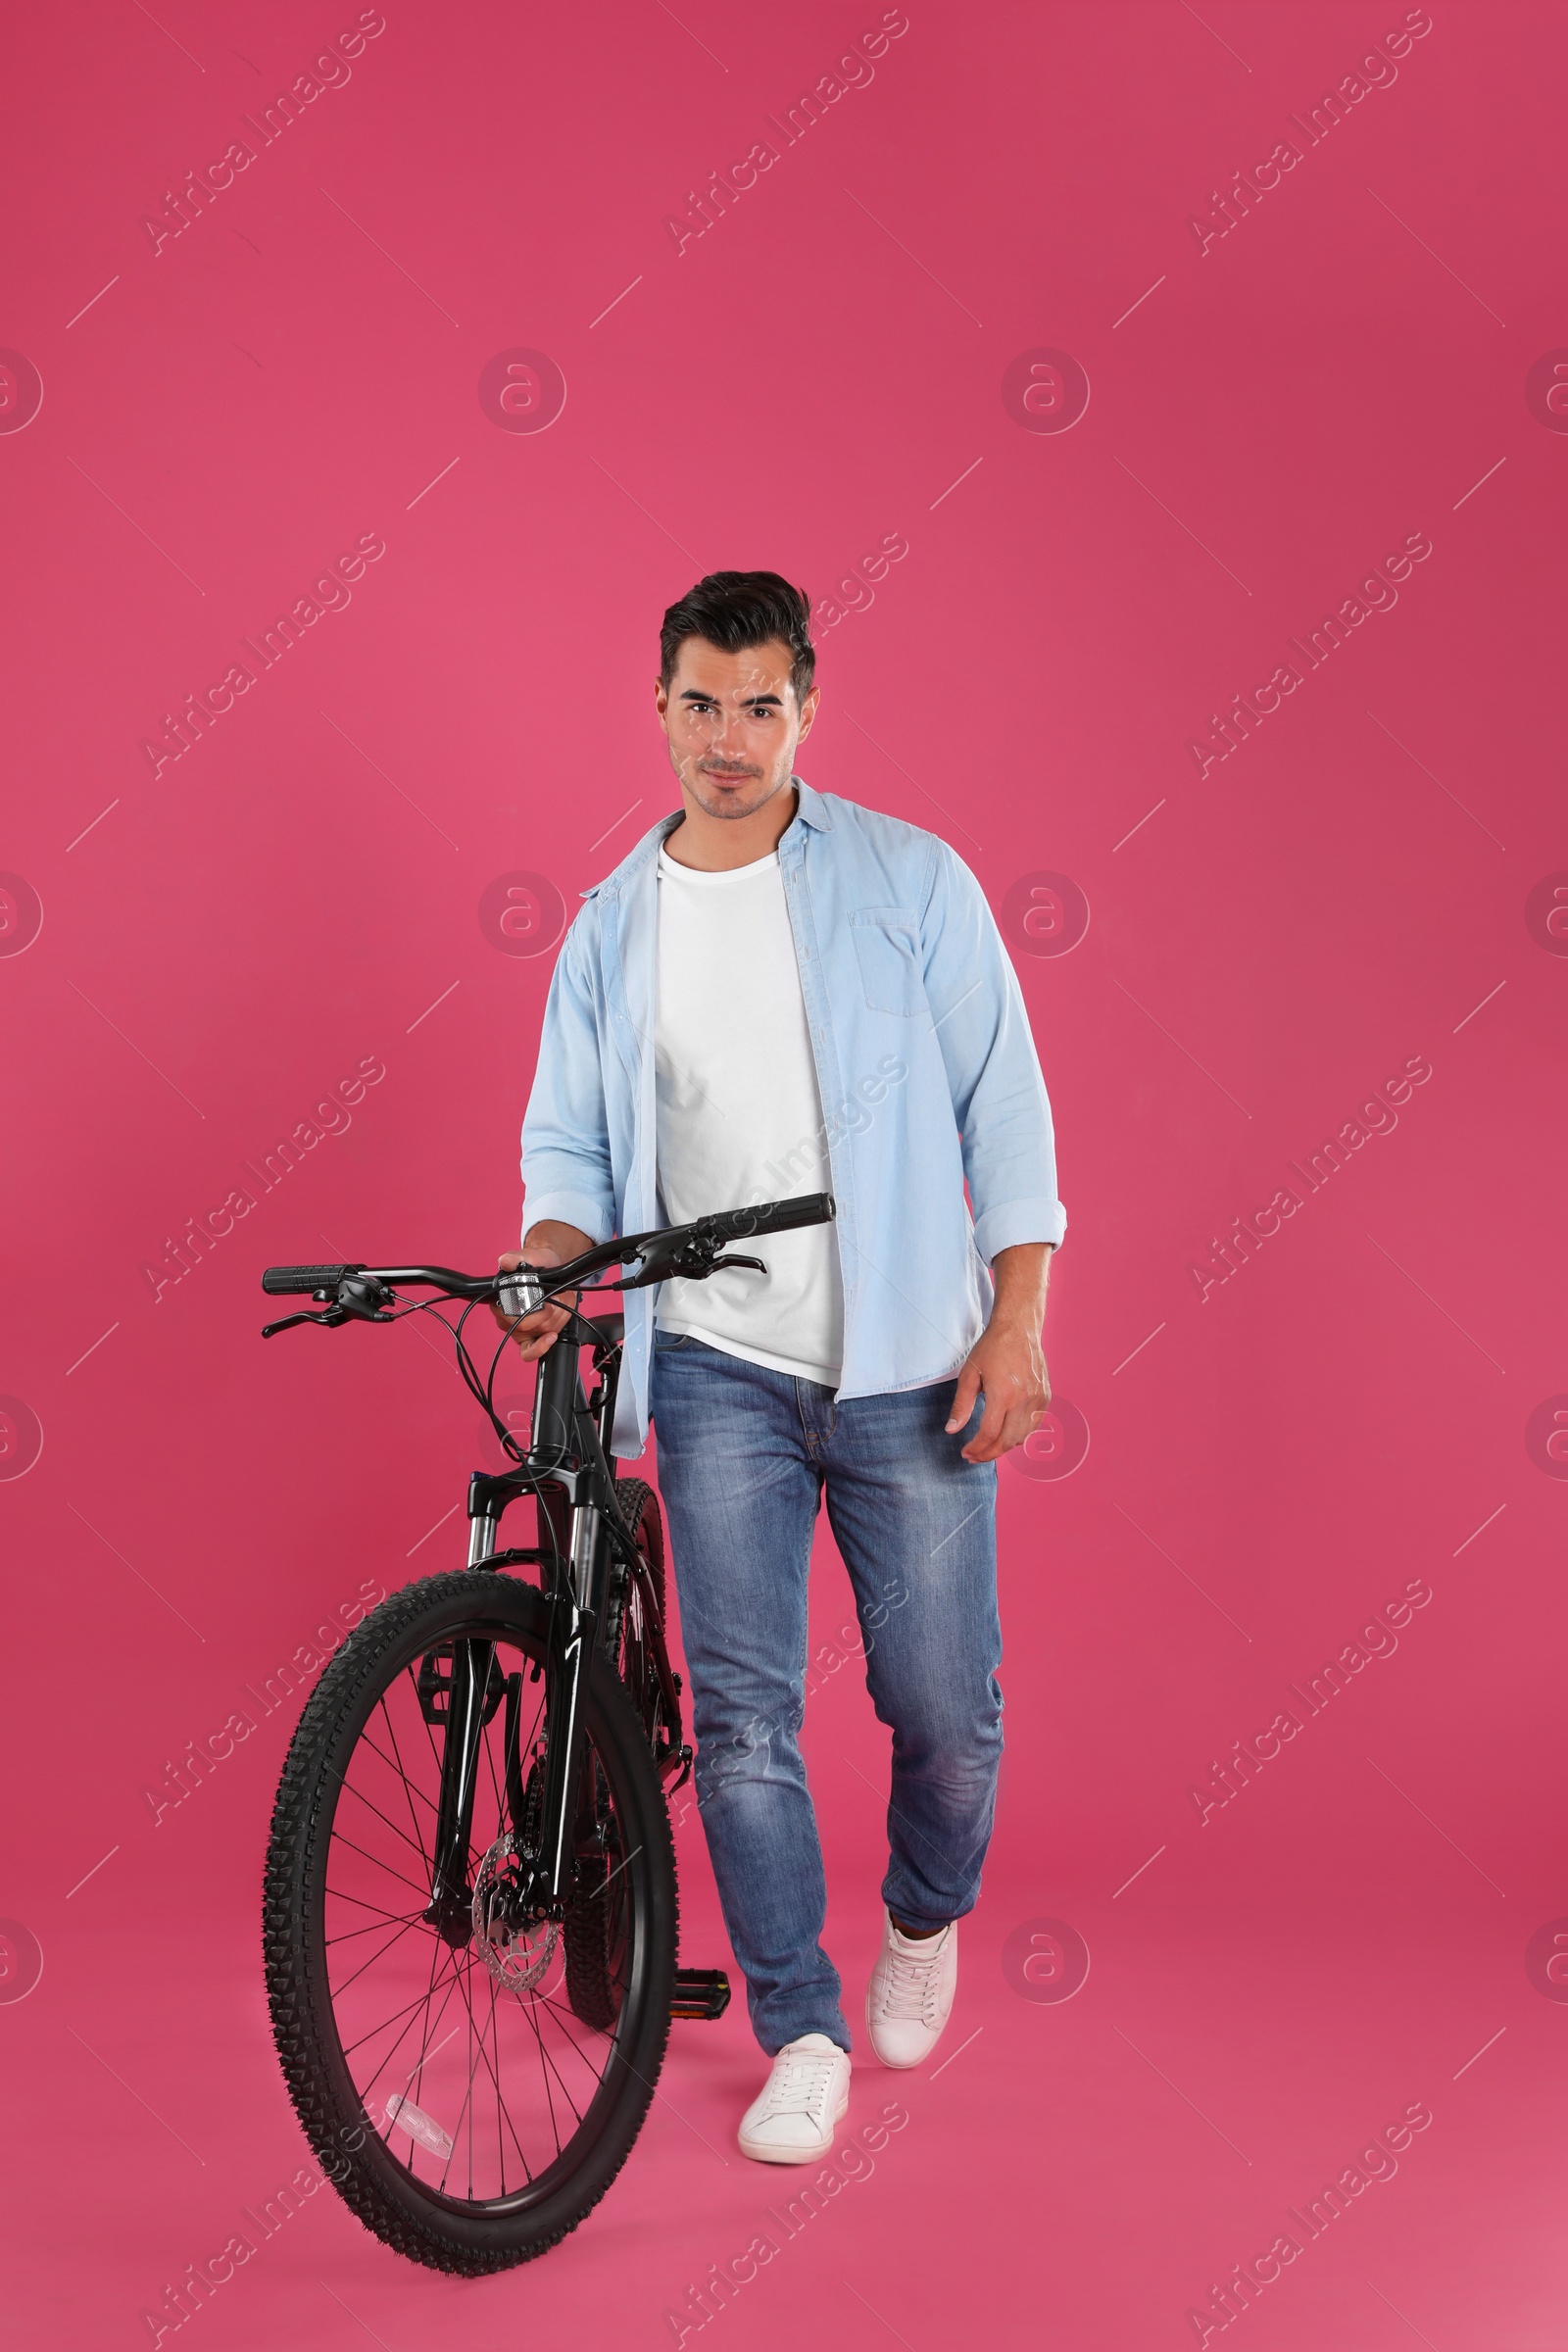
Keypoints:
pixel 925 1064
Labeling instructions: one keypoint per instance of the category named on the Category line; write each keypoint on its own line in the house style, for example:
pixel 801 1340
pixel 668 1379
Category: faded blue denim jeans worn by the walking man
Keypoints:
pixel 744 1457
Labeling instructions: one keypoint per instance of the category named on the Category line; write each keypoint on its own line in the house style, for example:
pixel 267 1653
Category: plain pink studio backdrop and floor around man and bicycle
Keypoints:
pixel 300 893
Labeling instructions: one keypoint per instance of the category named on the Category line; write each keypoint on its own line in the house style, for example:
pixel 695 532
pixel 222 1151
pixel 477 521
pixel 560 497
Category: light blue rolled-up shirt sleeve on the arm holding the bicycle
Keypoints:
pixel 565 1132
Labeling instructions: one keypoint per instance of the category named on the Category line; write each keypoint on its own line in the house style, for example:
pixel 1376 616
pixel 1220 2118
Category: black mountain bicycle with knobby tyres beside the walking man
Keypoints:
pixel 471 1906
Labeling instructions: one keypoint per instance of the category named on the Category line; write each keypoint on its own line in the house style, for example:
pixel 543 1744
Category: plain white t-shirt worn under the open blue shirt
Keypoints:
pixel 742 1116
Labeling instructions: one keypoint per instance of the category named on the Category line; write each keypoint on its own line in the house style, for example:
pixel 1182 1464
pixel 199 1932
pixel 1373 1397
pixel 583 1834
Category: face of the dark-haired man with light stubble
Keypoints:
pixel 732 723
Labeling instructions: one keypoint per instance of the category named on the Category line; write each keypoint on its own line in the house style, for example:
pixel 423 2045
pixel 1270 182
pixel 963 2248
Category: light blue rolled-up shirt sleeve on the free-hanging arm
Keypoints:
pixel 993 1071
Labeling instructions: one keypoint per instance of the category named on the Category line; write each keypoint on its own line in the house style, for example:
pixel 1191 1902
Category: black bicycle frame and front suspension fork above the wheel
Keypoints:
pixel 589 1565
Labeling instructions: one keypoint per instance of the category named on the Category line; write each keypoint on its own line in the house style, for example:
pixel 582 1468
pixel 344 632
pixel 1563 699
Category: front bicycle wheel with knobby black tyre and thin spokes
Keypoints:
pixel 445 2078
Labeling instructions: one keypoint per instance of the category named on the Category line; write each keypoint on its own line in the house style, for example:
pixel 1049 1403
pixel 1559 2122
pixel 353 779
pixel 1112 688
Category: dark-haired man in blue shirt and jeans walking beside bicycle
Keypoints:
pixel 775 994
